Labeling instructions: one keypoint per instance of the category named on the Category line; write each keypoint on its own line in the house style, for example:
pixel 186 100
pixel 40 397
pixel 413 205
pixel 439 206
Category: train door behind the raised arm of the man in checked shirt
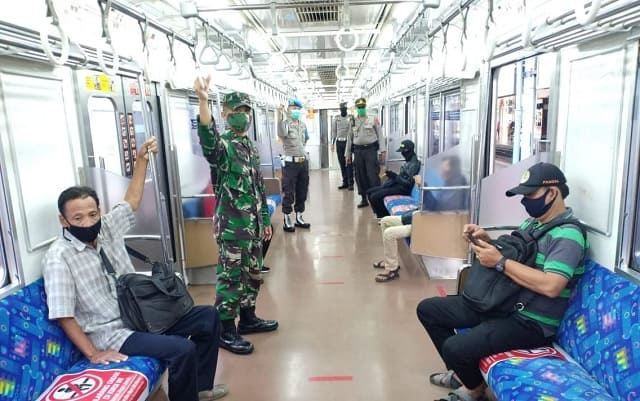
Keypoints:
pixel 112 135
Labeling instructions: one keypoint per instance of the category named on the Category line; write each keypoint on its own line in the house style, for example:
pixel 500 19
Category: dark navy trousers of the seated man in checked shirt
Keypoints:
pixel 189 349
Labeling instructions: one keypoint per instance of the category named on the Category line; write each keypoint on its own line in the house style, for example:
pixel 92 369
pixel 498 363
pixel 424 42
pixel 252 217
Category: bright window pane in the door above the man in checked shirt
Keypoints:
pixel 104 134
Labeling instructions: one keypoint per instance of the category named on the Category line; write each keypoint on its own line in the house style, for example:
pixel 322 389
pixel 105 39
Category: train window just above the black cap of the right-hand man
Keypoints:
pixel 519 110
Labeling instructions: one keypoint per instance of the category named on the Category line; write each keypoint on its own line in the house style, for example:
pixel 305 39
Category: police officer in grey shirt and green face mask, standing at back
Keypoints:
pixel 364 141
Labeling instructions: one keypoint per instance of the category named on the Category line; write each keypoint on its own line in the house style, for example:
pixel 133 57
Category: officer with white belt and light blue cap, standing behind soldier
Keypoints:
pixel 295 173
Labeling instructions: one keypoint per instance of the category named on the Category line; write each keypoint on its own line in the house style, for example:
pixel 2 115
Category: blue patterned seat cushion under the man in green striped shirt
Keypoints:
pixel 539 375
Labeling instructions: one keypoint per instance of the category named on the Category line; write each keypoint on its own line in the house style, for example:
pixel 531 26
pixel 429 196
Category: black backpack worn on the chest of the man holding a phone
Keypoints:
pixel 487 290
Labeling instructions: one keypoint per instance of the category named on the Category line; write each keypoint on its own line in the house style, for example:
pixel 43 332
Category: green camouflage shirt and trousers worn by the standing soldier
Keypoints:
pixel 240 218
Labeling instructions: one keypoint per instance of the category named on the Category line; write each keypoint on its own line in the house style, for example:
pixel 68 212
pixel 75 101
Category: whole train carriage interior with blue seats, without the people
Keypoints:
pixel 485 89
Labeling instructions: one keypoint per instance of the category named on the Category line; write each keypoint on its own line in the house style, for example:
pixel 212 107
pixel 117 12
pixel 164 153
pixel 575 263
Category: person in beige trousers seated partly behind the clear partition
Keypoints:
pixel 397 227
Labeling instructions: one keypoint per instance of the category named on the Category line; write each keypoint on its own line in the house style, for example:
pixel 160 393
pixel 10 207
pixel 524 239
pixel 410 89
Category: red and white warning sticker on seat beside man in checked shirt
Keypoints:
pixel 98 385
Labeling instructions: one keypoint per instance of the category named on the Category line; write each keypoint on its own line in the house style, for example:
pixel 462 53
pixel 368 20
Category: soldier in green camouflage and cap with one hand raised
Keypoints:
pixel 241 220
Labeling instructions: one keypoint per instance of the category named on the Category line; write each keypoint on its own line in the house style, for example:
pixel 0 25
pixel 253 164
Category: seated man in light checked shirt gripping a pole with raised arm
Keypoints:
pixel 82 297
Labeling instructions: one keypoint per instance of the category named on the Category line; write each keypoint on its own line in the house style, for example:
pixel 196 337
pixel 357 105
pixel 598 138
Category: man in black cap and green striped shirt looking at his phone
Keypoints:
pixel 558 265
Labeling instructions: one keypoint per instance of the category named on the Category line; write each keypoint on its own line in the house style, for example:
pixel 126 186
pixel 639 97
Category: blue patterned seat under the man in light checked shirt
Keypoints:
pixel 35 351
